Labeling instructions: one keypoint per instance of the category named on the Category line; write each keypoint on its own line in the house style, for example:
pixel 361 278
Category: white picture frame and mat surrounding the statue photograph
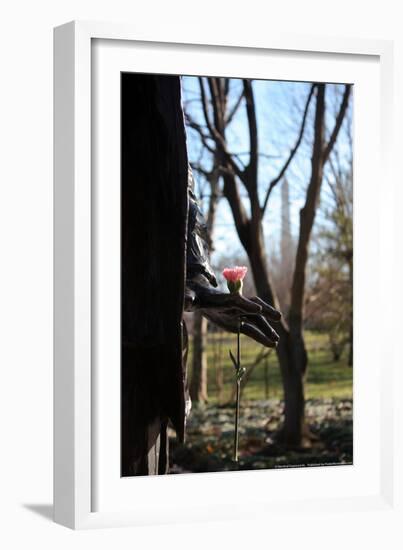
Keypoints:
pixel 76 409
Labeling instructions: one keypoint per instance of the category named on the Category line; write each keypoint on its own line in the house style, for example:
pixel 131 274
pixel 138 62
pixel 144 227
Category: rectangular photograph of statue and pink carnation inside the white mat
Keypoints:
pixel 236 274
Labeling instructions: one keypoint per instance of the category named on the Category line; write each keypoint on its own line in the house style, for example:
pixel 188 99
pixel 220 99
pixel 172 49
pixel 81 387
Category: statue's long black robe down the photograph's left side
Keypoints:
pixel 154 202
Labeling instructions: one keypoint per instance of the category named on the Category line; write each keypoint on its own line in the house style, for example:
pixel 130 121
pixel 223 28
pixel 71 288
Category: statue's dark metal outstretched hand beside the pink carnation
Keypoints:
pixel 224 310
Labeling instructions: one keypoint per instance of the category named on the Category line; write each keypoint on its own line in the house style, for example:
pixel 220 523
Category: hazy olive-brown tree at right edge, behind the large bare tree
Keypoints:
pixel 329 303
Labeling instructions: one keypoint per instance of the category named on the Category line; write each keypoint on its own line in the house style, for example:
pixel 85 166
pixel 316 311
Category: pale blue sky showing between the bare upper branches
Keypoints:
pixel 279 106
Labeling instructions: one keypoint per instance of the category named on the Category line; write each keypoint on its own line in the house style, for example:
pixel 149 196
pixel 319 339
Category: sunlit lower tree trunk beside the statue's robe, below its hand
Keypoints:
pixel 198 382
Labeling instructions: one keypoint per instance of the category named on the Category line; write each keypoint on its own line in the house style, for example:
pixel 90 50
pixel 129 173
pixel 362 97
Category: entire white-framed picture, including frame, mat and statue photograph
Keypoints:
pixel 223 247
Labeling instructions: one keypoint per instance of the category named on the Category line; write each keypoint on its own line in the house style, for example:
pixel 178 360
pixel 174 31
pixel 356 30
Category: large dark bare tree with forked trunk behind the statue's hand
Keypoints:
pixel 214 103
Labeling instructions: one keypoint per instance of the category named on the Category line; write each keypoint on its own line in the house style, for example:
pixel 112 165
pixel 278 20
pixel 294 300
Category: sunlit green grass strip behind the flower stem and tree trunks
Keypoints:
pixel 326 378
